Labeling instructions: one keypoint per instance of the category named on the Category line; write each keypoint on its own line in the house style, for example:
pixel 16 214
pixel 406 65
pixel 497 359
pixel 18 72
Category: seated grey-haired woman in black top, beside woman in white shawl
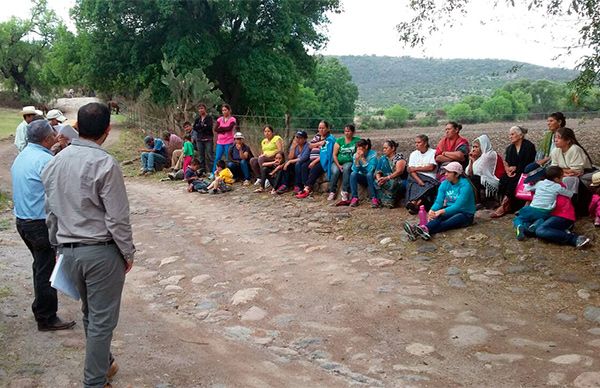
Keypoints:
pixel 519 154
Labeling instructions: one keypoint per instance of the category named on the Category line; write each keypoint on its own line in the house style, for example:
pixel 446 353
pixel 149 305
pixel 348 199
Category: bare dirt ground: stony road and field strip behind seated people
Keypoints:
pixel 242 290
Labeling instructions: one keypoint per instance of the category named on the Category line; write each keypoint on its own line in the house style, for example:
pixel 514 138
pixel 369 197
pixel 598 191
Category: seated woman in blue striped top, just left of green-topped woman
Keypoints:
pixel 322 163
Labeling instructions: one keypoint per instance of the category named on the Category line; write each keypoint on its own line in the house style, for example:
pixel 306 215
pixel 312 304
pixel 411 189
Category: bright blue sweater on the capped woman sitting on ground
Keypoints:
pixel 458 198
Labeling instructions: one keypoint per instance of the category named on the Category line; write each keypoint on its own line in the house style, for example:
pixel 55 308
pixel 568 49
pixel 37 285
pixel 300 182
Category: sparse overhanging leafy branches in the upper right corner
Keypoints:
pixel 427 15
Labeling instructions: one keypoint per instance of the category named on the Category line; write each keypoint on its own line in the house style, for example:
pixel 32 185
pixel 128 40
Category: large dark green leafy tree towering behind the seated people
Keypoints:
pixel 255 50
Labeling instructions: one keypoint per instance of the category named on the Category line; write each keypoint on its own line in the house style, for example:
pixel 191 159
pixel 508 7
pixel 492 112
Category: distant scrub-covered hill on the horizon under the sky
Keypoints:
pixel 422 84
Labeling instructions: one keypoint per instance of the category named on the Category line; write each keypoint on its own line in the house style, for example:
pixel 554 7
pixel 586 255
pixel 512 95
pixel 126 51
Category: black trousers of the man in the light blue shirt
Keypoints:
pixel 35 235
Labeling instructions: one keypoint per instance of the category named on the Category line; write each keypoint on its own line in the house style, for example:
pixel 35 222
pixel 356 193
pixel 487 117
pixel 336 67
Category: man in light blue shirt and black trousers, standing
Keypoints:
pixel 28 199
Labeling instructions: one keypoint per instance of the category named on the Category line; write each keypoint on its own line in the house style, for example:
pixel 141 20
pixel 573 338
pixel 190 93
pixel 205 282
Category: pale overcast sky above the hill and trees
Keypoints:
pixel 368 27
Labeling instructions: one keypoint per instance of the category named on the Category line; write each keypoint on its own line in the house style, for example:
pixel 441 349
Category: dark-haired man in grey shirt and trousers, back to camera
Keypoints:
pixel 88 219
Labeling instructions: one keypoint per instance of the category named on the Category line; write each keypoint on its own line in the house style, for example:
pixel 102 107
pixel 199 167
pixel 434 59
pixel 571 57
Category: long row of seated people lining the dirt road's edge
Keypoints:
pixel 448 182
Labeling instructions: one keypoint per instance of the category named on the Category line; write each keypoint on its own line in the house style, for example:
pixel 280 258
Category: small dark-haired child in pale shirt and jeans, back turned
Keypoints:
pixel 543 202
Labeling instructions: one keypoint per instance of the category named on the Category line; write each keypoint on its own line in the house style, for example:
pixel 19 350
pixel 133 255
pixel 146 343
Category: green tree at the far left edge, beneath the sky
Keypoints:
pixel 23 46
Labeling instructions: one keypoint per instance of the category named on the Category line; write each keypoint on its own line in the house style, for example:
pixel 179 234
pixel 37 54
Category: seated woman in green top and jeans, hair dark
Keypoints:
pixel 343 152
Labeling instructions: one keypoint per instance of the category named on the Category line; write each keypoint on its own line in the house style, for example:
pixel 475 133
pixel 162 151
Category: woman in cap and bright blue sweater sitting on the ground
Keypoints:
pixel 454 206
